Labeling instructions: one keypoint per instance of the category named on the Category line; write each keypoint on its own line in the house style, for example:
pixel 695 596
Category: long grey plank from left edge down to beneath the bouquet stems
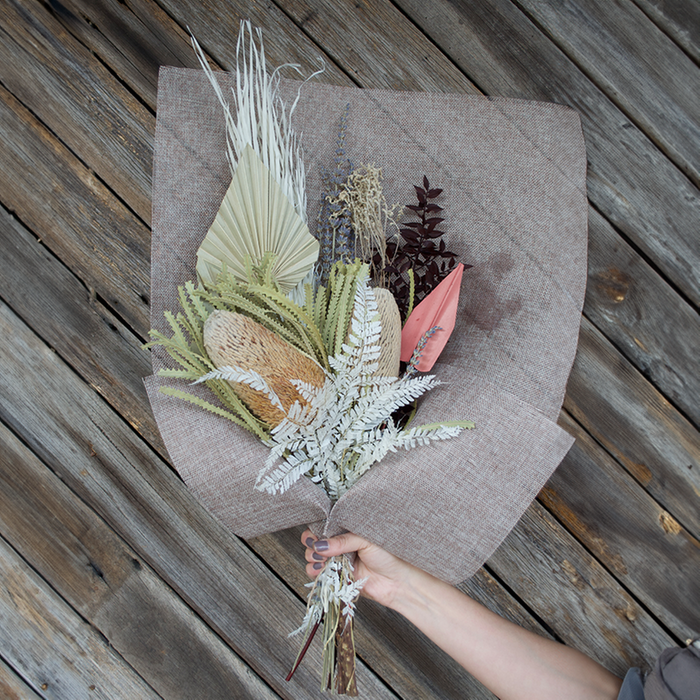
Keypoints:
pixel 101 459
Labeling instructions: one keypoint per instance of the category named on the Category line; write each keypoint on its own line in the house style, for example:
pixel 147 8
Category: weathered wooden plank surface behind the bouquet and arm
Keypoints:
pixel 114 582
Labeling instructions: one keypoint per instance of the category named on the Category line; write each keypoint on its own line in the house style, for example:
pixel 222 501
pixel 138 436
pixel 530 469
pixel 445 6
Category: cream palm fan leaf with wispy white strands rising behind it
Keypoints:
pixel 264 208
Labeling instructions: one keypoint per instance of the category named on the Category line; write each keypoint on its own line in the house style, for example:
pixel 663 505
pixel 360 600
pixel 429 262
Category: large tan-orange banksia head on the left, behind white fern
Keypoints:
pixel 234 340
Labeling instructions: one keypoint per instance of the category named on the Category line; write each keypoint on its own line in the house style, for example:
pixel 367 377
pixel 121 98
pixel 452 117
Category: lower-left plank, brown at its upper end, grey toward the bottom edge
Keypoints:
pixel 104 581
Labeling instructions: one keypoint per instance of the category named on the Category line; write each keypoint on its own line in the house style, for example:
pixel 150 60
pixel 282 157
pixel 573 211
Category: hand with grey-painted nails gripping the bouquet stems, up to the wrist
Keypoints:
pixel 386 574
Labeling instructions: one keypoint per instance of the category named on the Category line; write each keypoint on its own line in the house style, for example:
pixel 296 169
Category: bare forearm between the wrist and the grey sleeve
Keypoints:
pixel 513 663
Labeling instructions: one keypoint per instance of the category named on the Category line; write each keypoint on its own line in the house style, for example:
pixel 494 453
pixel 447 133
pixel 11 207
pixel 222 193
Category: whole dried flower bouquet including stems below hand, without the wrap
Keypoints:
pixel 300 351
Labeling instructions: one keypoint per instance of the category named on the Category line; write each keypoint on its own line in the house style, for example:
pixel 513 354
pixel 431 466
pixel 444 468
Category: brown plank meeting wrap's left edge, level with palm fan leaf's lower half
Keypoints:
pixel 71 211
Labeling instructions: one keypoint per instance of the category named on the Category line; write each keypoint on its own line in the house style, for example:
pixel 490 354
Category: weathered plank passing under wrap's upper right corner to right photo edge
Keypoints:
pixel 630 181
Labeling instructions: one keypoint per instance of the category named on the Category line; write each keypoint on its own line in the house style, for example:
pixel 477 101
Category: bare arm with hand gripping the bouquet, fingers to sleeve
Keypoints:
pixel 475 637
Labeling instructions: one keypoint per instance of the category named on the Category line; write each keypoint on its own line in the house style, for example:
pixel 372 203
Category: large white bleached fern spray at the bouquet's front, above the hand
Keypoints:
pixel 347 426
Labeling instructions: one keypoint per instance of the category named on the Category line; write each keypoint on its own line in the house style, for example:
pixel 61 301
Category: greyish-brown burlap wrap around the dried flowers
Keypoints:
pixel 513 174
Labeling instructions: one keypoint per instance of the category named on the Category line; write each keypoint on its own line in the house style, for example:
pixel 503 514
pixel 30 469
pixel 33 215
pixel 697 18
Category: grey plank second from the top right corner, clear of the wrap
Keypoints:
pixel 645 74
